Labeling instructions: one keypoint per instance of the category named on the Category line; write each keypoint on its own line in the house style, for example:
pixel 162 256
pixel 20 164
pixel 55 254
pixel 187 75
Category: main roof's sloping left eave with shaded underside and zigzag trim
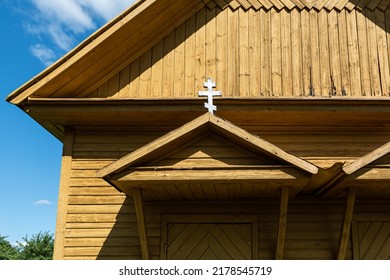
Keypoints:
pixel 133 32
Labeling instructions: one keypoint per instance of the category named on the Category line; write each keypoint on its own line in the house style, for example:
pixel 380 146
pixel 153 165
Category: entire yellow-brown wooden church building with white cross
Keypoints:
pixel 223 129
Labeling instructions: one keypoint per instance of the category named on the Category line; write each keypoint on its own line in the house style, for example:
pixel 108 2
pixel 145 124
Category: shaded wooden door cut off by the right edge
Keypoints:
pixel 371 240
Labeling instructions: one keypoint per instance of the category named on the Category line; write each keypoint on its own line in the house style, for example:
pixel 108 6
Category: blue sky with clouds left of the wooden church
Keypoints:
pixel 35 33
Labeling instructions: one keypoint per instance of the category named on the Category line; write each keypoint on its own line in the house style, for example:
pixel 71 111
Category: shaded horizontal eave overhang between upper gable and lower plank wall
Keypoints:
pixel 54 113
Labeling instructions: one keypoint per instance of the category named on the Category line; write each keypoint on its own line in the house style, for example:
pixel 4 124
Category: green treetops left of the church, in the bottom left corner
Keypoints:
pixel 38 247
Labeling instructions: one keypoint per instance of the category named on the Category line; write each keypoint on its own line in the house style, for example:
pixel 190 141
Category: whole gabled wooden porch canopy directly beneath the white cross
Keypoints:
pixel 209 158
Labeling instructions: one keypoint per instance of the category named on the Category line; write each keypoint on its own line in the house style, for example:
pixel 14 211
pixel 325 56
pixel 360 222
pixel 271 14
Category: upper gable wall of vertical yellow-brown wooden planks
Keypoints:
pixel 264 53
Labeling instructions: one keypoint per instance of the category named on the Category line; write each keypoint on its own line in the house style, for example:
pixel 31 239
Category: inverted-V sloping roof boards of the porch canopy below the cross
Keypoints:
pixel 194 130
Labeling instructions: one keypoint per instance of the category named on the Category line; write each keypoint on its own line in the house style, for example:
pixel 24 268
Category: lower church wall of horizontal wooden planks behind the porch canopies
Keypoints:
pixel 101 222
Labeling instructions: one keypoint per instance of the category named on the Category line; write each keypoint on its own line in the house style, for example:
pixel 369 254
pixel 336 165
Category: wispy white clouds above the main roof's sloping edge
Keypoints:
pixel 61 21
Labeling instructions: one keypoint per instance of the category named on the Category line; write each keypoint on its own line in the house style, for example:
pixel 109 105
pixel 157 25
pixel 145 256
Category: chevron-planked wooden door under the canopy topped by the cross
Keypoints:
pixel 209 237
